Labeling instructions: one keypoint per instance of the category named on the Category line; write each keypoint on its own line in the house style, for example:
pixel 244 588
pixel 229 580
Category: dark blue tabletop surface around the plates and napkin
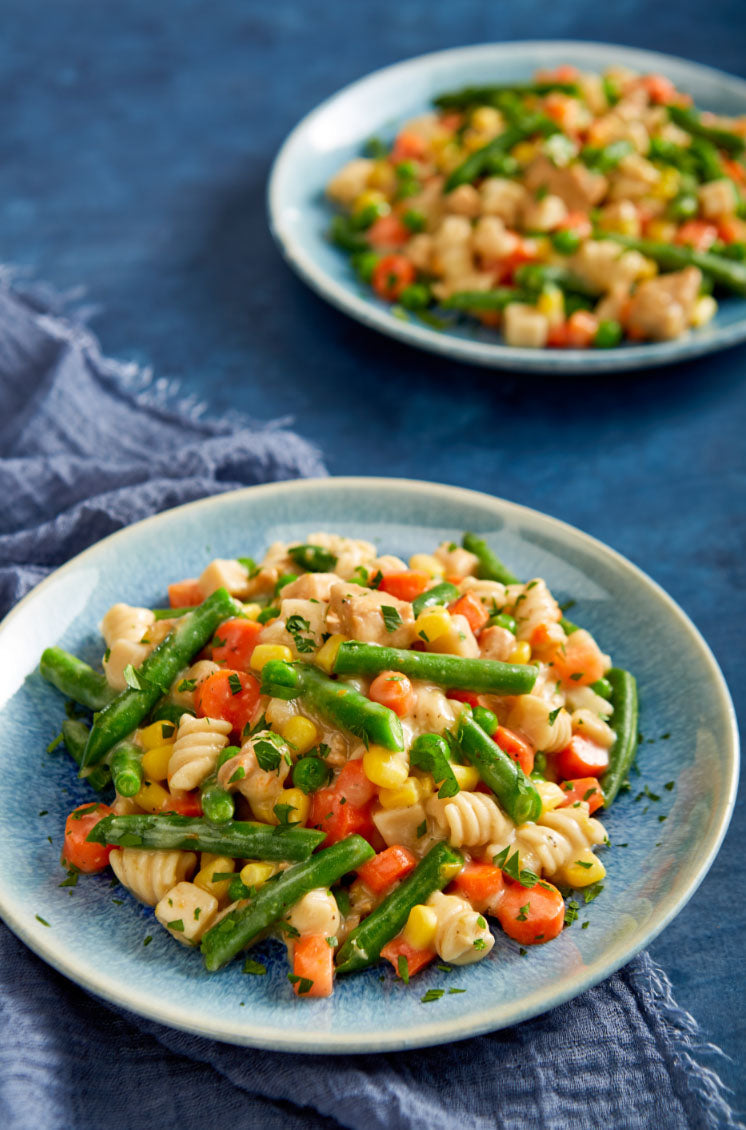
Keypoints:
pixel 135 145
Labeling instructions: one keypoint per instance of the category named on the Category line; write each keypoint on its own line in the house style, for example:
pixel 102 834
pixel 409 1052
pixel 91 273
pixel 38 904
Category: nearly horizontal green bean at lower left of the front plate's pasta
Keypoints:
pixel 239 840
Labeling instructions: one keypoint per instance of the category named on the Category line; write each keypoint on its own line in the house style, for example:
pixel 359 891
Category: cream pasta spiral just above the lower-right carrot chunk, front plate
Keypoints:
pixel 557 839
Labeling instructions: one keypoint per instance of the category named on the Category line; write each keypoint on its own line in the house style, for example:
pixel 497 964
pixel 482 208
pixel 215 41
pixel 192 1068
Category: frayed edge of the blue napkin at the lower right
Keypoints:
pixel 688 1046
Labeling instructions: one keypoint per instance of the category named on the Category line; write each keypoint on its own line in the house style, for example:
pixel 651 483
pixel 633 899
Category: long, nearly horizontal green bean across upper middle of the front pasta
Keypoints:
pixel 483 676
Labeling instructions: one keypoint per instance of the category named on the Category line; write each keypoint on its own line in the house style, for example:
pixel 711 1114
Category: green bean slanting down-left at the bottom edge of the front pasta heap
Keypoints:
pixel 242 926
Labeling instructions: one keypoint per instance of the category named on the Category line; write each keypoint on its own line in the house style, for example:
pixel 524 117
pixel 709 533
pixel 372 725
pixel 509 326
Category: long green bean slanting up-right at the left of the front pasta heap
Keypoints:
pixel 157 675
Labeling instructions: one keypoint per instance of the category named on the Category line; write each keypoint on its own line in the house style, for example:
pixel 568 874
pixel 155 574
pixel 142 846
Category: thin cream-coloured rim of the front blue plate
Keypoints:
pixel 429 1033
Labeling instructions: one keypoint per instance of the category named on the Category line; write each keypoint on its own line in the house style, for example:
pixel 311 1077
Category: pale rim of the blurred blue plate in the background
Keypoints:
pixel 568 363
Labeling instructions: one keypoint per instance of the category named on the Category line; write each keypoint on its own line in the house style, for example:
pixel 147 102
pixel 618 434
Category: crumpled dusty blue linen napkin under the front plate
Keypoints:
pixel 89 446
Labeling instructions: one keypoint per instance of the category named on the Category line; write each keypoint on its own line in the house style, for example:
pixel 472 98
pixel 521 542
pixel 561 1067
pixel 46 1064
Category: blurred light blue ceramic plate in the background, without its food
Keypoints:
pixel 375 107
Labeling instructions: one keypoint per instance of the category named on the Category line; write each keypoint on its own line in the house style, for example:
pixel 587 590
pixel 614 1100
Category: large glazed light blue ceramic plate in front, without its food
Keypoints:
pixel 96 934
